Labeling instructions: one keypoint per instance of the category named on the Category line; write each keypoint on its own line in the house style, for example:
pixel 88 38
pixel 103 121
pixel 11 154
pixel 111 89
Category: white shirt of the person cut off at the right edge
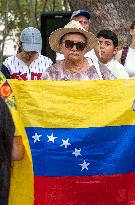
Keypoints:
pixel 130 63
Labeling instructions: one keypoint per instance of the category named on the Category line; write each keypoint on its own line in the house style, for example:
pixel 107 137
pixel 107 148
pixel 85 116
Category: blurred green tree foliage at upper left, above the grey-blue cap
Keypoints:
pixel 15 15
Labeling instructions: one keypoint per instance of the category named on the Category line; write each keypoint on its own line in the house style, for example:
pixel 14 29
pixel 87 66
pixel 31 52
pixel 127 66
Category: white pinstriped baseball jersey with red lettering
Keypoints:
pixel 19 70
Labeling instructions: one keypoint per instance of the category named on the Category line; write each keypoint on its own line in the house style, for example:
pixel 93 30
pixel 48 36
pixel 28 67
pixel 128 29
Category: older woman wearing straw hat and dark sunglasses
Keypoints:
pixel 74 41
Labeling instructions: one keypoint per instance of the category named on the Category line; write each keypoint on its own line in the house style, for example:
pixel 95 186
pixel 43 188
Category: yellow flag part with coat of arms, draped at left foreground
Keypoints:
pixel 21 191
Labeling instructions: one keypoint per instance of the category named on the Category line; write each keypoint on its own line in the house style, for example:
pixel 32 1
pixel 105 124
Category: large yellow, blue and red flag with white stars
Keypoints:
pixel 81 136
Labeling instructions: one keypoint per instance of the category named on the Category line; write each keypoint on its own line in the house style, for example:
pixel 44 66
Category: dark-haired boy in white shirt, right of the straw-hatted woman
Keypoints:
pixel 108 43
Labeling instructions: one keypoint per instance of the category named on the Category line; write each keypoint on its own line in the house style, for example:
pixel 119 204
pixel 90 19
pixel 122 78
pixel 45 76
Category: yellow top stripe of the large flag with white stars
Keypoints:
pixel 77 104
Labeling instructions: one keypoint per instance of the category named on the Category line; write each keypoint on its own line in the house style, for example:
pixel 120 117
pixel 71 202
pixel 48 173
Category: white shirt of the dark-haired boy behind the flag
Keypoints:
pixel 117 69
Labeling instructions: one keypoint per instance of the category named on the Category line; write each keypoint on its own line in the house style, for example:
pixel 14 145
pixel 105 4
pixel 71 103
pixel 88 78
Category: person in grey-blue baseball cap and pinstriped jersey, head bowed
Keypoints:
pixel 28 64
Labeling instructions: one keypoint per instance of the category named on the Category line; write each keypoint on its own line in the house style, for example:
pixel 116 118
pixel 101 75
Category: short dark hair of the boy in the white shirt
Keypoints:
pixel 108 34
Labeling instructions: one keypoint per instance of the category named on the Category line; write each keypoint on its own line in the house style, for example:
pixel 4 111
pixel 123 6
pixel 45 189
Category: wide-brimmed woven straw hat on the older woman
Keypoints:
pixel 72 27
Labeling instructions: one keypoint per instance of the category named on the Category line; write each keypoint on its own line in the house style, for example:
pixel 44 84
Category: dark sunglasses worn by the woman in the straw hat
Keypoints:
pixel 70 44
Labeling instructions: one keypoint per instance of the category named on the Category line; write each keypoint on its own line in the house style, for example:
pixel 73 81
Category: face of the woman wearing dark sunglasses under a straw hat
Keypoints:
pixel 73 46
